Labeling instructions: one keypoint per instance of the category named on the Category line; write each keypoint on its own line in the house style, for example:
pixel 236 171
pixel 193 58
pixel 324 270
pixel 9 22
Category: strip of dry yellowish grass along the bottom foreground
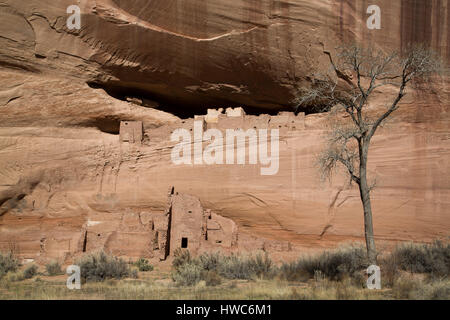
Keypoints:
pixel 55 288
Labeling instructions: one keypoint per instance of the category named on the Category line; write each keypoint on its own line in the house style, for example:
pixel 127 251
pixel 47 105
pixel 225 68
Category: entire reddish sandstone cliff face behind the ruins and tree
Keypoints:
pixel 61 161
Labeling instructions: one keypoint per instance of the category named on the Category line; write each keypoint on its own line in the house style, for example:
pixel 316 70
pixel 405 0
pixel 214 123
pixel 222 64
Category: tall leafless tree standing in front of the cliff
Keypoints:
pixel 356 75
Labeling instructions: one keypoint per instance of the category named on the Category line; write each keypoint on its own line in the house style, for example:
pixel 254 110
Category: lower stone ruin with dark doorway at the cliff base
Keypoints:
pixel 184 224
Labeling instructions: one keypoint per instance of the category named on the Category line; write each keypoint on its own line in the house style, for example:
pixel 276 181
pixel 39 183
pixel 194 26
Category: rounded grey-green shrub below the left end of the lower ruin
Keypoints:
pixel 100 266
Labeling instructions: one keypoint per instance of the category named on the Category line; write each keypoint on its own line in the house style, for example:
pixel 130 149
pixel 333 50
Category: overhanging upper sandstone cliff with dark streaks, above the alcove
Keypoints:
pixel 192 53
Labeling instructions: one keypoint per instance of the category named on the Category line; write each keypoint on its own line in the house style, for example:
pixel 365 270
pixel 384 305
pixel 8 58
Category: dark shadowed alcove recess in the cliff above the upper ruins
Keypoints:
pixel 182 108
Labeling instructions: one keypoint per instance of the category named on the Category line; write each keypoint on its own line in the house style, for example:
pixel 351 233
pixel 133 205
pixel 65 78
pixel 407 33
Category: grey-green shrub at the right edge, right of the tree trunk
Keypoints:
pixel 433 259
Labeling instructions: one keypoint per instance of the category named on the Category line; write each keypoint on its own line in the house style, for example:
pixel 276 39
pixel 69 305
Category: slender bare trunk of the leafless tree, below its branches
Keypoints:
pixel 364 191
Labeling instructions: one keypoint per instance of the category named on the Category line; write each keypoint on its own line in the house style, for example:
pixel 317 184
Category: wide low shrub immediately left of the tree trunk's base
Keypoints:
pixel 334 265
